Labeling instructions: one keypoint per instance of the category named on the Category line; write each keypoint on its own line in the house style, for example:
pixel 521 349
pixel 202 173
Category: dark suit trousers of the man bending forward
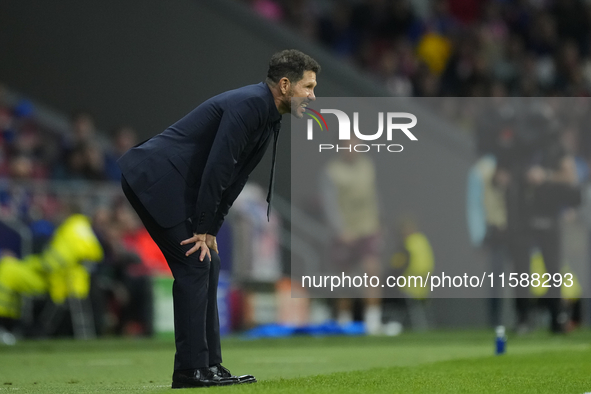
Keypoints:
pixel 196 322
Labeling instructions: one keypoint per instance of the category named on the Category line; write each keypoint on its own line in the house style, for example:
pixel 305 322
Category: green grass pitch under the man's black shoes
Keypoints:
pixel 432 362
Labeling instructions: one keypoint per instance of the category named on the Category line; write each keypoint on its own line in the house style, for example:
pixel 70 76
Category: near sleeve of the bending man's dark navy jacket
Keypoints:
pixel 236 126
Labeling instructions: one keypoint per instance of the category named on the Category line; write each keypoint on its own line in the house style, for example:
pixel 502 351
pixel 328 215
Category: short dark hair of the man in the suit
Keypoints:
pixel 291 64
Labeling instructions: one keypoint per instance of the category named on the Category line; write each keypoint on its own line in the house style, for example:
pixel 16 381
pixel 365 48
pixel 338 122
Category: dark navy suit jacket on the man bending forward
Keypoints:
pixel 198 166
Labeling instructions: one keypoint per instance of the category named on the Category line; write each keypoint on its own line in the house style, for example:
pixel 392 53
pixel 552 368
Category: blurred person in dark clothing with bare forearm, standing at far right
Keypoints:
pixel 540 177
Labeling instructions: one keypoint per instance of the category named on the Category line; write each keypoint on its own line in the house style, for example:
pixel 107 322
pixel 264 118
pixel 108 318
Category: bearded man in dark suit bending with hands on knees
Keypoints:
pixel 182 183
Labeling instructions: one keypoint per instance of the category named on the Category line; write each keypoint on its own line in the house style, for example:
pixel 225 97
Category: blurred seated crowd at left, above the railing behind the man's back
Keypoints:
pixel 30 150
